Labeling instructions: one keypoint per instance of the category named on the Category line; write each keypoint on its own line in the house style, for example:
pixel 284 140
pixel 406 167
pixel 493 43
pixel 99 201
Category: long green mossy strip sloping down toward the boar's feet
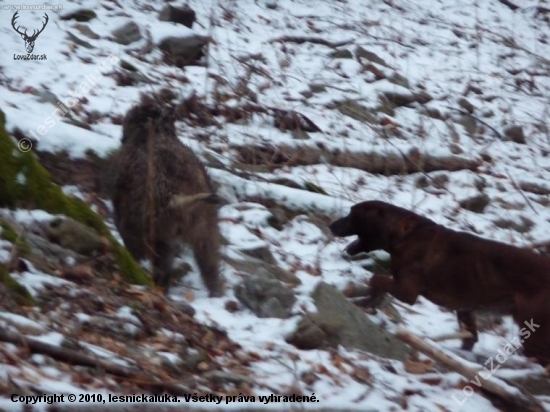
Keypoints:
pixel 24 183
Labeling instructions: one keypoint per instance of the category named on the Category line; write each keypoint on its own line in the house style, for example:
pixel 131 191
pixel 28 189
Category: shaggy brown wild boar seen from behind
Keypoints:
pixel 163 197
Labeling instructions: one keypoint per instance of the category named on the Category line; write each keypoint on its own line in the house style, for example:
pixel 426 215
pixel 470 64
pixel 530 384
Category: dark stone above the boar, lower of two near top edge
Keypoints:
pixel 183 51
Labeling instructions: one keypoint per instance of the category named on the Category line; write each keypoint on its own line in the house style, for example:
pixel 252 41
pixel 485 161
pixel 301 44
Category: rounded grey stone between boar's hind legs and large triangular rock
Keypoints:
pixel 267 298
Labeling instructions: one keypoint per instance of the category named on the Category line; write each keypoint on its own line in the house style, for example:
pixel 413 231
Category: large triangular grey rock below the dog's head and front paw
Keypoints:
pixel 339 322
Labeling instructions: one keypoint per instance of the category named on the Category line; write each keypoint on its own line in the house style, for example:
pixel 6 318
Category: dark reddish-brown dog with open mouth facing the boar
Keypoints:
pixel 456 270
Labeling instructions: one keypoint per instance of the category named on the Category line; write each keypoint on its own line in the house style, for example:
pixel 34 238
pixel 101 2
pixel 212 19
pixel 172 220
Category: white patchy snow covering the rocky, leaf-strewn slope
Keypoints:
pixel 484 51
